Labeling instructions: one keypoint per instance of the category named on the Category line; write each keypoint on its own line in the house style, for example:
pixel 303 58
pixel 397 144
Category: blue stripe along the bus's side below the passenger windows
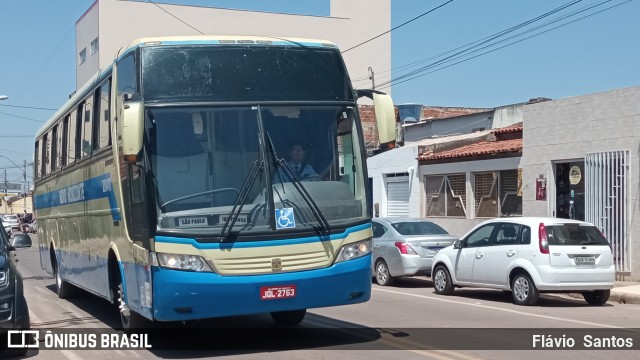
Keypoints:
pixel 92 189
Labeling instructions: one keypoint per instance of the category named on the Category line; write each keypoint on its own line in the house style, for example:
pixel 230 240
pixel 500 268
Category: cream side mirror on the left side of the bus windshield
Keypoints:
pixel 132 130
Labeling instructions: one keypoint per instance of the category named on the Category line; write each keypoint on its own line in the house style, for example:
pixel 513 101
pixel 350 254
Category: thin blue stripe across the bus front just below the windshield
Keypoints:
pixel 258 243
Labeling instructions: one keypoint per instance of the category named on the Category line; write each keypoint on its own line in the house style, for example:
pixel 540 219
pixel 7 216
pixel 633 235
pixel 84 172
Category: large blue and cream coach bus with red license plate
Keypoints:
pixel 156 182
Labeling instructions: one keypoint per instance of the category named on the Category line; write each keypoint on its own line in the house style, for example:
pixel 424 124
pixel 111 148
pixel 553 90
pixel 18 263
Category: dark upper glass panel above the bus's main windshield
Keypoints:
pixel 225 73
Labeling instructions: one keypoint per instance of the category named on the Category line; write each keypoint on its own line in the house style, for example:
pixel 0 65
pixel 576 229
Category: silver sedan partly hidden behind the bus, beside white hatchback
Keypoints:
pixel 405 247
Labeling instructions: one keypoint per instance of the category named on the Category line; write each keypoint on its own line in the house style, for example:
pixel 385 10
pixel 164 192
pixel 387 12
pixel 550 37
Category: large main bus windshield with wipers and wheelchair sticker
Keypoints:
pixel 201 156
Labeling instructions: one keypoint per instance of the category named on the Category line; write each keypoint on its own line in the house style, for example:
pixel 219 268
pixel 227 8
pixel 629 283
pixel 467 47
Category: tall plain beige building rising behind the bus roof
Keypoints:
pixel 111 24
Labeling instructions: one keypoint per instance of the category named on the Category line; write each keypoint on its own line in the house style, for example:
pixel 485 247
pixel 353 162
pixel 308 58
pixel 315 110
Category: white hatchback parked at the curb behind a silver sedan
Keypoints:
pixel 527 256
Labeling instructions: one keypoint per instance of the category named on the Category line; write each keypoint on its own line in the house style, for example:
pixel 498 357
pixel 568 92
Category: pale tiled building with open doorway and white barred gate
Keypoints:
pixel 586 150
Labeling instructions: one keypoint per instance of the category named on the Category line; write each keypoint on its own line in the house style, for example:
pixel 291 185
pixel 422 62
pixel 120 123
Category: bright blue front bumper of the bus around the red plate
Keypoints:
pixel 182 295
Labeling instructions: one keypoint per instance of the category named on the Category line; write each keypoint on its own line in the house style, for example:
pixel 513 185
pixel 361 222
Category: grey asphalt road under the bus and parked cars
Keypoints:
pixel 406 321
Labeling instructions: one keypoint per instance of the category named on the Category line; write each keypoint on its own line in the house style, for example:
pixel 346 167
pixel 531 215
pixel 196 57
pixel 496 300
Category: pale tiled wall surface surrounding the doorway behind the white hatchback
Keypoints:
pixel 567 129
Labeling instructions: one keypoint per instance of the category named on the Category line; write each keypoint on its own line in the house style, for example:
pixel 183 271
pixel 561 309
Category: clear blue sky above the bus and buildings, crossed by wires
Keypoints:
pixel 598 53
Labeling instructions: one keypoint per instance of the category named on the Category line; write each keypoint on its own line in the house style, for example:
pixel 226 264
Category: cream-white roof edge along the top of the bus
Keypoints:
pixel 186 40
